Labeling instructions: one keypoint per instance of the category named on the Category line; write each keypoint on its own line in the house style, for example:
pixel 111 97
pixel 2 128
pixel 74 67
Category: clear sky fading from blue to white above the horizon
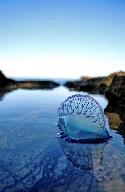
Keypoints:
pixel 62 38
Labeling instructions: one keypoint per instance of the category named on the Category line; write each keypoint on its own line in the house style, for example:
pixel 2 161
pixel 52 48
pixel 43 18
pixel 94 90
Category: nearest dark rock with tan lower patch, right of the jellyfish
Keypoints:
pixel 116 106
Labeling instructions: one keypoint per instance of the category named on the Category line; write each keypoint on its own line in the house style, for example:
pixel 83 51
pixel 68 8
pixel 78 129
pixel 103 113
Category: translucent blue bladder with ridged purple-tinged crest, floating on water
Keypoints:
pixel 82 118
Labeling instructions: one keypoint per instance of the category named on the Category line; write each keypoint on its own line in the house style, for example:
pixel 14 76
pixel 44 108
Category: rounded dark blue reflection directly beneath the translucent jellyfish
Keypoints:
pixel 84 156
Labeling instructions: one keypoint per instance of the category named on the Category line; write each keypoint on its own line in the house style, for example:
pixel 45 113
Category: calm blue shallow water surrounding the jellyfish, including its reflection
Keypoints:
pixel 34 158
